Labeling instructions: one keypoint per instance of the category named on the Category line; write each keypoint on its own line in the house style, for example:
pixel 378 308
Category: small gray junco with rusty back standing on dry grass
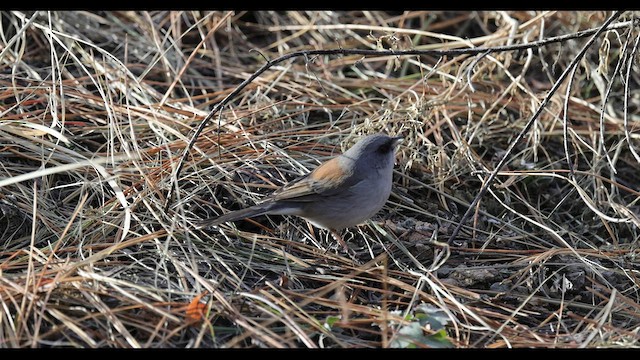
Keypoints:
pixel 340 193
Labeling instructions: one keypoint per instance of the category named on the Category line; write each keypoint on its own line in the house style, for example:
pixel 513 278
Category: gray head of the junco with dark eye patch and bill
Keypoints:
pixel 377 151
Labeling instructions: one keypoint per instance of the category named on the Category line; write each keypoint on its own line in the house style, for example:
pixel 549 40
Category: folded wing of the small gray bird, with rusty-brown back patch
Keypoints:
pixel 326 180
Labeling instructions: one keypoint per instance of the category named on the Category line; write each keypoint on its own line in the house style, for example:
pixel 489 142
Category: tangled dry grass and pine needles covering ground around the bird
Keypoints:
pixel 98 108
